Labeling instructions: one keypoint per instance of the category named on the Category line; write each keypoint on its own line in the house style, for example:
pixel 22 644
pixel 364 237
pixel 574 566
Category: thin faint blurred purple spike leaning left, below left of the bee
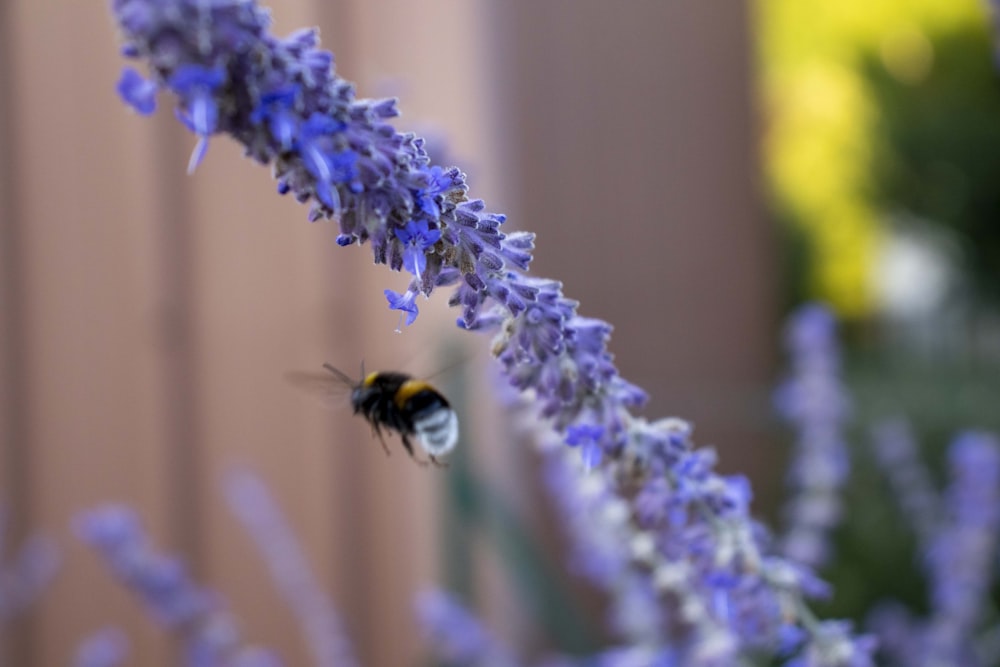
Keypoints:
pixel 253 505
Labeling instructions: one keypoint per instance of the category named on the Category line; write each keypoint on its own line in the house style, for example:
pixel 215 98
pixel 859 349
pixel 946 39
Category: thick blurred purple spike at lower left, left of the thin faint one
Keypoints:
pixel 208 632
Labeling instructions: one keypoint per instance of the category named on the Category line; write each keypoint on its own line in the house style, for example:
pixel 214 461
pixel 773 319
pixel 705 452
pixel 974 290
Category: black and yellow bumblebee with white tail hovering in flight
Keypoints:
pixel 395 402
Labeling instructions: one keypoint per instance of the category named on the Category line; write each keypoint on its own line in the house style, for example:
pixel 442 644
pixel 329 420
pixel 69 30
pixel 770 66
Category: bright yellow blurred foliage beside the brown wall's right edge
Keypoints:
pixel 821 136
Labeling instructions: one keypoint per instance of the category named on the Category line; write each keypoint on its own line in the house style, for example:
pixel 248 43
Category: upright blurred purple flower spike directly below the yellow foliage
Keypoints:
pixel 814 402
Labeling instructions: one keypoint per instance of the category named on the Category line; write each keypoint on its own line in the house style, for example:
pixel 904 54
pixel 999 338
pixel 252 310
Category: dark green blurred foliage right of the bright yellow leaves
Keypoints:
pixel 941 146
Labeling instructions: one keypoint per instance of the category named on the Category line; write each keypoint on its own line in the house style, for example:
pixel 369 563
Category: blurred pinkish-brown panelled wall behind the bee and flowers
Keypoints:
pixel 147 318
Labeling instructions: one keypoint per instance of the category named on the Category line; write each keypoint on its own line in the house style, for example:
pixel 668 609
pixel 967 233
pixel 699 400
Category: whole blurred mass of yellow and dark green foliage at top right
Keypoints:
pixel 872 109
